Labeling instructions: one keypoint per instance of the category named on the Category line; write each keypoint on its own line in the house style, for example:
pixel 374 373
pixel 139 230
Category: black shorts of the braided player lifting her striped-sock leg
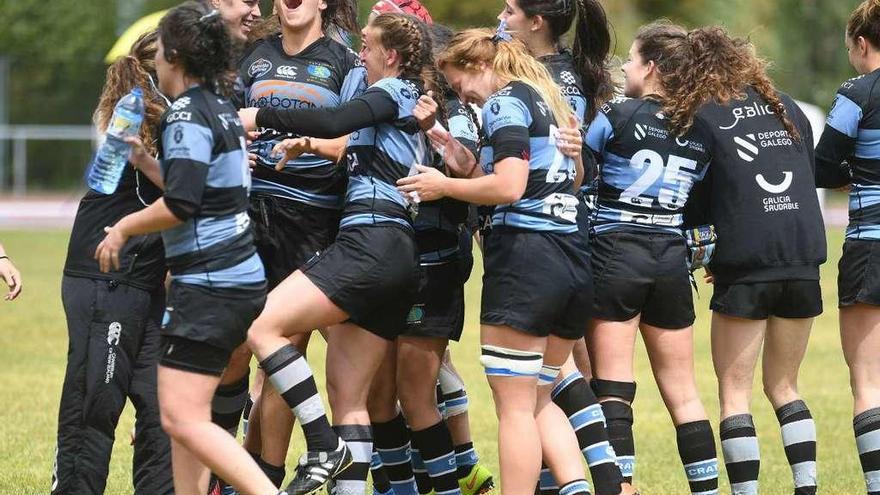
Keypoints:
pixel 371 273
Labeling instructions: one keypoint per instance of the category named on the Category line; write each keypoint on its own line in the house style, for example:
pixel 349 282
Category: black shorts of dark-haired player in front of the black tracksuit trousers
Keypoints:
pixel 212 321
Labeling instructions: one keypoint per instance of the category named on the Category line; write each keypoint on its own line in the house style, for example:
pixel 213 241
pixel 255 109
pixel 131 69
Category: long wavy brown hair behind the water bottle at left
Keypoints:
pixel 126 73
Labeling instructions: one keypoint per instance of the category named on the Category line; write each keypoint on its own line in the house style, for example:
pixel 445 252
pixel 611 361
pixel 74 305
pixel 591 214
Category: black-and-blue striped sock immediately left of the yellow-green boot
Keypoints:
pixel 438 454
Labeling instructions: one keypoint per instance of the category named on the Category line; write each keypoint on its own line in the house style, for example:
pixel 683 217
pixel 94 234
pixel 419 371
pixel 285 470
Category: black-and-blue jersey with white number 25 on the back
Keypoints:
pixel 645 172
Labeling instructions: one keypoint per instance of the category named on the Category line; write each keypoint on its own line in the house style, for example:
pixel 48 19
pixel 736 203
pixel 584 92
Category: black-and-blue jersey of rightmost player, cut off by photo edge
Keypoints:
pixel 852 135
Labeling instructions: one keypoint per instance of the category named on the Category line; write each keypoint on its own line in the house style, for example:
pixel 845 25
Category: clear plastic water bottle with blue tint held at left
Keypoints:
pixel 109 161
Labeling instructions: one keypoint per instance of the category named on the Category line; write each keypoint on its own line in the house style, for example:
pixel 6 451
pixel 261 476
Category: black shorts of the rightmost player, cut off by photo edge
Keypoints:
pixel 858 278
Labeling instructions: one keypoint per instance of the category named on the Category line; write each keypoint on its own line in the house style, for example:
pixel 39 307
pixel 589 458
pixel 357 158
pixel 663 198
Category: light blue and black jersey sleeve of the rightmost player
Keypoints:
pixel 838 141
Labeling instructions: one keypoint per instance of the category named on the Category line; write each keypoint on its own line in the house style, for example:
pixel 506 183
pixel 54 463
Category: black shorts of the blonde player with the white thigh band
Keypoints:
pixel 537 282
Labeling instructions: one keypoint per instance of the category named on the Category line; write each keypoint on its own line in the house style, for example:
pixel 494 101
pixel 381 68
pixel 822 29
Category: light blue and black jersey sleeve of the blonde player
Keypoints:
pixel 506 120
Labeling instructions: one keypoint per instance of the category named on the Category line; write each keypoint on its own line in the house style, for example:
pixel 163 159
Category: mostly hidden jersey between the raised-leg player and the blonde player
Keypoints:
pixel 439 223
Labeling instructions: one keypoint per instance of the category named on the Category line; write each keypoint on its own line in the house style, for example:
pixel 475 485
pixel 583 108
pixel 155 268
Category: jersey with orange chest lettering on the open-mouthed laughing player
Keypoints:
pixel 324 74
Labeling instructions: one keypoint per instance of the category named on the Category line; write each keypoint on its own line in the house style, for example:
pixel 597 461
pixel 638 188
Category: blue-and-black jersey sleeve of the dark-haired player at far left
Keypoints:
pixel 187 144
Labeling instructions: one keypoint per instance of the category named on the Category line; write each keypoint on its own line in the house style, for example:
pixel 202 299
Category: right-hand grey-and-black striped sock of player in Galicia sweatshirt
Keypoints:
pixel 799 439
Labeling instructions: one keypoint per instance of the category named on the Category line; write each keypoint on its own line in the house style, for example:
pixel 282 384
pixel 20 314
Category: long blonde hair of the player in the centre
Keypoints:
pixel 509 61
